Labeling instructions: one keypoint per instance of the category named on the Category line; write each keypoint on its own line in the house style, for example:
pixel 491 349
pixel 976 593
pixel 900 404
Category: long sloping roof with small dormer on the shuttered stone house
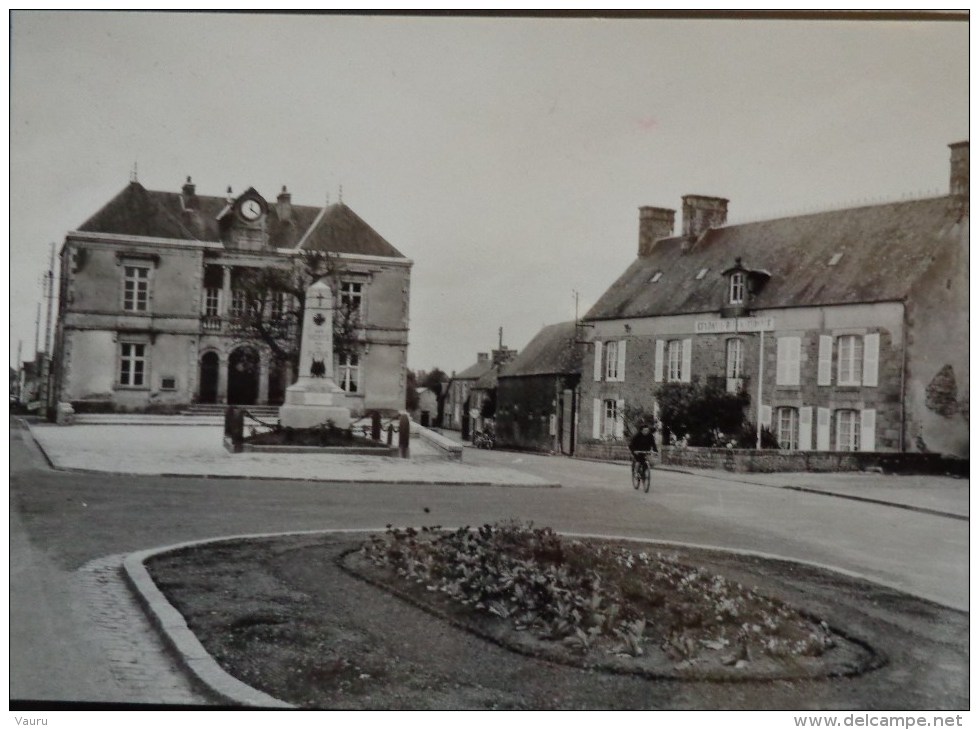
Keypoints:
pixel 885 250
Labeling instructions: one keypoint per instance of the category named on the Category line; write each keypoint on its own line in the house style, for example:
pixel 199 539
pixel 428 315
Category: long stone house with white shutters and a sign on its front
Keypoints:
pixel 848 329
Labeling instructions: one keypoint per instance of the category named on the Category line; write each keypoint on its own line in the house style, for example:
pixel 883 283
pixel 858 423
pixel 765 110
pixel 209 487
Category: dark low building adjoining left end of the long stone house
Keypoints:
pixel 536 392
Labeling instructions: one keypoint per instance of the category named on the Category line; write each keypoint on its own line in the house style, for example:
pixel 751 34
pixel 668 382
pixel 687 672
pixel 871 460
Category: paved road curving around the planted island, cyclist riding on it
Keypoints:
pixel 67 531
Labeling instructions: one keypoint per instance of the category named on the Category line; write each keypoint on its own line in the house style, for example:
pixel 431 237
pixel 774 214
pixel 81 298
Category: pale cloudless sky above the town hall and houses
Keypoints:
pixel 507 157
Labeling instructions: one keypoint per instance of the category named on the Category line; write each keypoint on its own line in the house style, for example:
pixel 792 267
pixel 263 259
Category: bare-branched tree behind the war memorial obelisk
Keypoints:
pixel 270 303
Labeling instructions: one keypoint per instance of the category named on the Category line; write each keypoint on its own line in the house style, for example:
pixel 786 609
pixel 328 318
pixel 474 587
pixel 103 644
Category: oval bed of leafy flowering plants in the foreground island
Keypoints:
pixel 608 606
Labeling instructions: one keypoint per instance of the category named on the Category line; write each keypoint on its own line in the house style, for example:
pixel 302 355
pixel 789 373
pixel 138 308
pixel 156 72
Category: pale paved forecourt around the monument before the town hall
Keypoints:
pixel 198 450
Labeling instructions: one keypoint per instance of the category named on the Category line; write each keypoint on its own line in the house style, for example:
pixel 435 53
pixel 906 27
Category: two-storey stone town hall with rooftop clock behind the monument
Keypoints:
pixel 149 292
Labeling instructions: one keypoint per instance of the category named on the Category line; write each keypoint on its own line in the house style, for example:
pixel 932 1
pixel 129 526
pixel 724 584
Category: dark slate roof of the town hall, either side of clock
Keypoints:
pixel 136 211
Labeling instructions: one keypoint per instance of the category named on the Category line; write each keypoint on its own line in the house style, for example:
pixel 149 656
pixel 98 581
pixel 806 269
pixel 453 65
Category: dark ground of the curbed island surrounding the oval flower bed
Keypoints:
pixel 282 616
